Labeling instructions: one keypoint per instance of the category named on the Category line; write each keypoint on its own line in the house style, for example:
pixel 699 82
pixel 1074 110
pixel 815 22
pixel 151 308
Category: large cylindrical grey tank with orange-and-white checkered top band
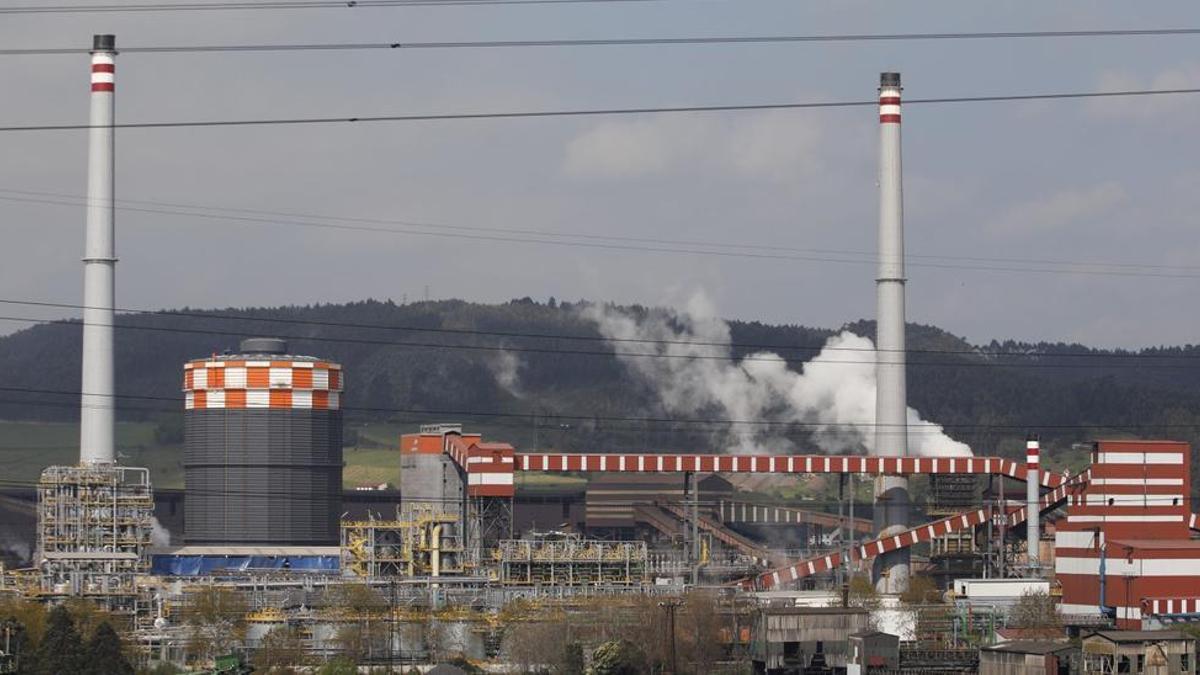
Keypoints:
pixel 263 449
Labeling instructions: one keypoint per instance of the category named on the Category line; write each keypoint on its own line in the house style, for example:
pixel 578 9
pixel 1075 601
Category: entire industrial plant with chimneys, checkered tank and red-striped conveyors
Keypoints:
pixel 467 554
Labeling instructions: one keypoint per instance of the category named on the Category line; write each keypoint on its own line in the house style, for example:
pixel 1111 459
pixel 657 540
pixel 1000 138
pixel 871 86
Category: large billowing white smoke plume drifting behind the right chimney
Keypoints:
pixel 833 395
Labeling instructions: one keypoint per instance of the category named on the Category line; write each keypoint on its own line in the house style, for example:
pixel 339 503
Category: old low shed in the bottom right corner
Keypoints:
pixel 1151 653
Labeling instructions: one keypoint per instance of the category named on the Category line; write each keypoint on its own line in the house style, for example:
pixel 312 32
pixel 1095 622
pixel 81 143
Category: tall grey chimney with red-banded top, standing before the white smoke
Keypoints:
pixel 891 398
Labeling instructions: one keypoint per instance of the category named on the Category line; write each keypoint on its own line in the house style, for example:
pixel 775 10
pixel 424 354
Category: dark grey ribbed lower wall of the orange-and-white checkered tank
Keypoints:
pixel 263 477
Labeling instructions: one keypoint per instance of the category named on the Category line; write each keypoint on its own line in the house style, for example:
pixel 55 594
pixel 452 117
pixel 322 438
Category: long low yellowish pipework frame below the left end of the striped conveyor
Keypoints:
pixel 572 561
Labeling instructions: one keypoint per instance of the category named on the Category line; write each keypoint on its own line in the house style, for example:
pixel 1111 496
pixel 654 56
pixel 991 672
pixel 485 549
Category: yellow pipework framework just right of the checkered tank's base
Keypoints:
pixel 425 543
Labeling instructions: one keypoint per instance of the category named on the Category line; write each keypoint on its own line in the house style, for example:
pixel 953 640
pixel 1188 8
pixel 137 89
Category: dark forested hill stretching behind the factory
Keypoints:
pixel 575 393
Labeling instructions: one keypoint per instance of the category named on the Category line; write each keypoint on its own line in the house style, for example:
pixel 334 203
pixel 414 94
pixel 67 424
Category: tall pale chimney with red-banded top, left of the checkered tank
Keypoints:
pixel 100 265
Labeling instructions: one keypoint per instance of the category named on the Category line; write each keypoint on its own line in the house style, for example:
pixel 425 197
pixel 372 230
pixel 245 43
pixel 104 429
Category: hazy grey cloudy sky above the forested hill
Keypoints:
pixel 992 190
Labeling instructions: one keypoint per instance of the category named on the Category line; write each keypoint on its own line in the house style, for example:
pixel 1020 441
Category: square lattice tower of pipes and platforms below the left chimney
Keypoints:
pixel 94 529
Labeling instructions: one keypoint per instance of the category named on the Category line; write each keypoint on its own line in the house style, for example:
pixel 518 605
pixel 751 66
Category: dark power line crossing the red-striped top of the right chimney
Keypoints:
pixel 598 112
